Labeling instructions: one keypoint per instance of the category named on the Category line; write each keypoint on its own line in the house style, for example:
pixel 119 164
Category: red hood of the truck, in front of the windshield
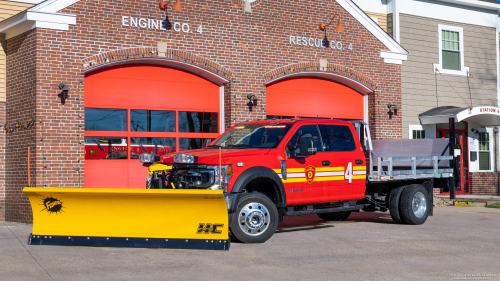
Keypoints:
pixel 211 156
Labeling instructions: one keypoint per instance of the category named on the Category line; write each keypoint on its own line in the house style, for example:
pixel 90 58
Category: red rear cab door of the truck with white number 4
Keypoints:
pixel 343 166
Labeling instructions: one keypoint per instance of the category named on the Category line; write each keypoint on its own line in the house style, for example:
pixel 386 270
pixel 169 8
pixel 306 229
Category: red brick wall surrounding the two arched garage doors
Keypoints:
pixel 249 44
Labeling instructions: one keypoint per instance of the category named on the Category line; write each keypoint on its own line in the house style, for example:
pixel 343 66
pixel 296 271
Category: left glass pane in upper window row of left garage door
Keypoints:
pixel 104 119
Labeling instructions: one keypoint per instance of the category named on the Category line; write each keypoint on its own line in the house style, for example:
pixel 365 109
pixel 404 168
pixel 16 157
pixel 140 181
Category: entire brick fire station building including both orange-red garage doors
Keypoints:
pixel 144 79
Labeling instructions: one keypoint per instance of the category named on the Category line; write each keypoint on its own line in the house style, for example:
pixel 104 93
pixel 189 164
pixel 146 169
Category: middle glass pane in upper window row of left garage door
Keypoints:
pixel 152 121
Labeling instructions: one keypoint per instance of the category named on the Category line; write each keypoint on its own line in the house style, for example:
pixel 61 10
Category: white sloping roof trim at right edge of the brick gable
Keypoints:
pixel 377 31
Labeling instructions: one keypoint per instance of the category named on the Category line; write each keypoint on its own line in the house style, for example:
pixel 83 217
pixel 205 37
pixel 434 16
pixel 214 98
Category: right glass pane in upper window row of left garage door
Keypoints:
pixel 189 122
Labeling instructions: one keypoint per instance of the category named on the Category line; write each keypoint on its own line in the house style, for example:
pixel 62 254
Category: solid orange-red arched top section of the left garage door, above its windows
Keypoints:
pixel 152 87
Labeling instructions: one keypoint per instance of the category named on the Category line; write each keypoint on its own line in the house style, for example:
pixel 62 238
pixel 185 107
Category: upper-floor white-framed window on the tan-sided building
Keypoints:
pixel 451 50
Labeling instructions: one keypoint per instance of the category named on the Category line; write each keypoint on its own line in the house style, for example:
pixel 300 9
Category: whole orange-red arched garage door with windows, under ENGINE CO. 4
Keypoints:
pixel 134 109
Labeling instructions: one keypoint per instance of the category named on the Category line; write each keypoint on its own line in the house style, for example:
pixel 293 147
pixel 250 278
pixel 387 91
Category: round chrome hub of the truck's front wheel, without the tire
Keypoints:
pixel 254 219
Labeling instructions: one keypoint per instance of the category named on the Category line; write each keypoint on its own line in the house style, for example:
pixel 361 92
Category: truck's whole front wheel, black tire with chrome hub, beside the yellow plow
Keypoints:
pixel 255 219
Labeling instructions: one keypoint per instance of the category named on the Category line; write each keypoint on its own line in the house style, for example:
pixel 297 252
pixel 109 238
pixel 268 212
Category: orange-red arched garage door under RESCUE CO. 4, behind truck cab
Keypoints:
pixel 313 97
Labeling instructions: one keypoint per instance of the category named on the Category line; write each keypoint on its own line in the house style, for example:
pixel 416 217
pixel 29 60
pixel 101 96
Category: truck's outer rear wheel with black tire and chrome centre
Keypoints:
pixel 406 207
